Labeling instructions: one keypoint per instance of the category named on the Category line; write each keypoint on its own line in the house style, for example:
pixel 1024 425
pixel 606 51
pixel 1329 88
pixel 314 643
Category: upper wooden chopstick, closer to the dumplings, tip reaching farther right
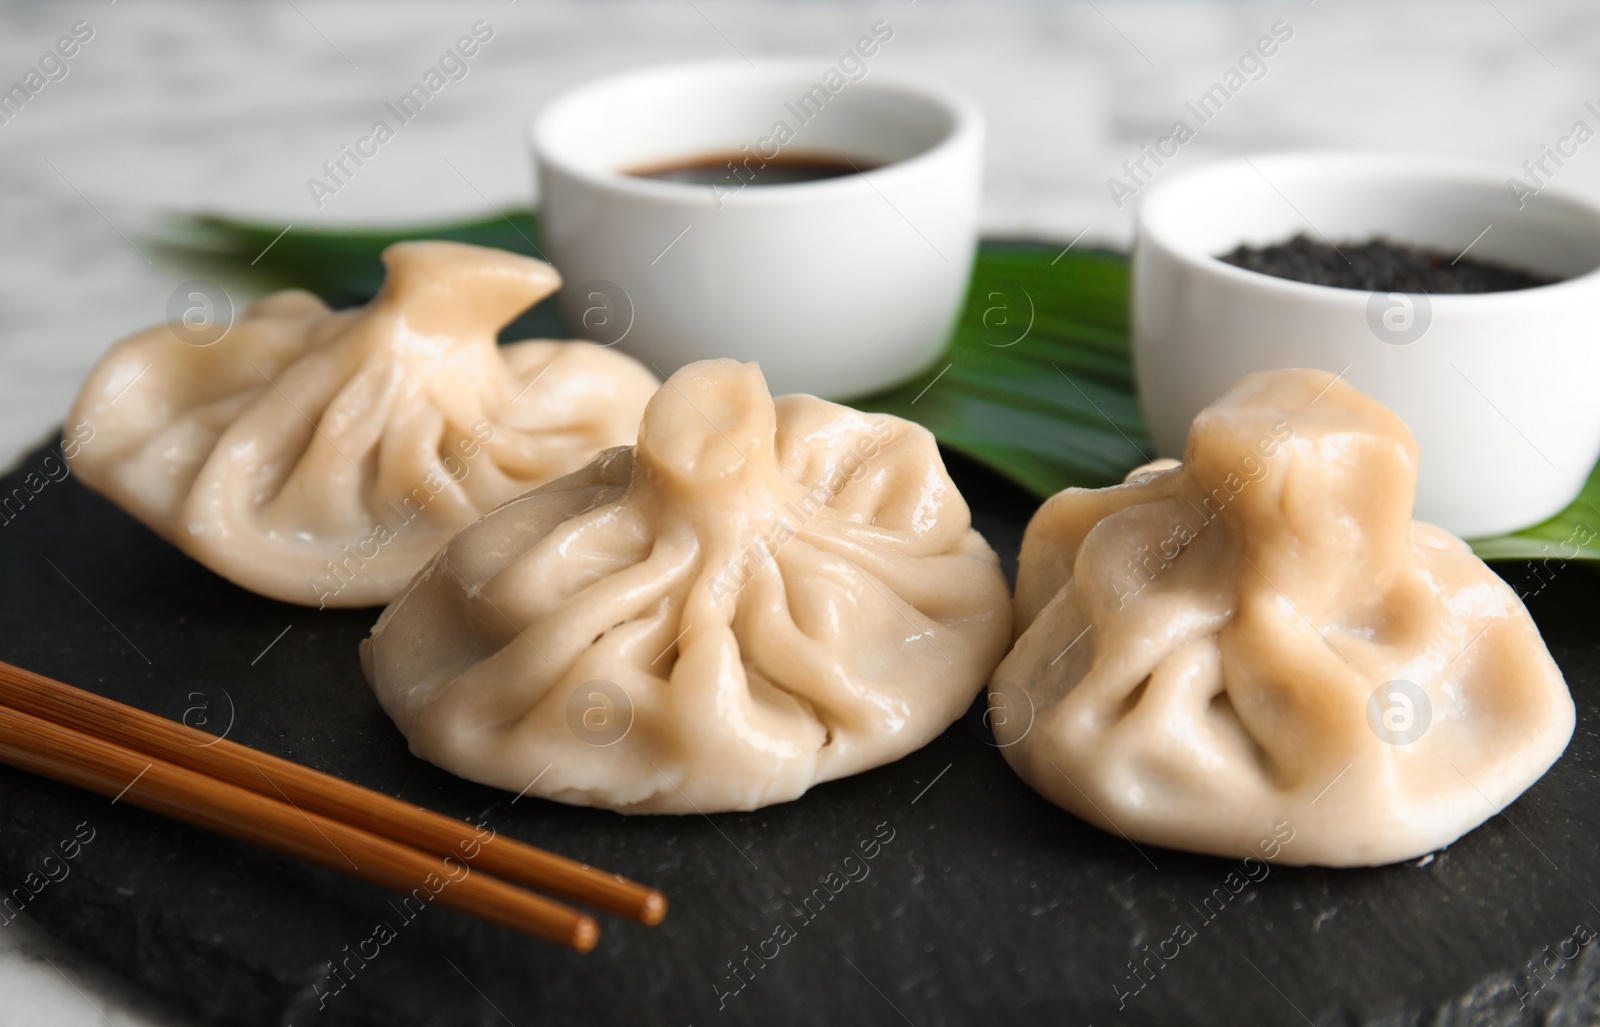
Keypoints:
pixel 316 793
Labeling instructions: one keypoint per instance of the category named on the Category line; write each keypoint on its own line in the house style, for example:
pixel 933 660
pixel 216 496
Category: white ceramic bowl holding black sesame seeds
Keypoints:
pixel 1498 388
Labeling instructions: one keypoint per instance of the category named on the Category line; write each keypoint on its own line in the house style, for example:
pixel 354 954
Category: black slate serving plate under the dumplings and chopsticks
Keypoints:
pixel 982 905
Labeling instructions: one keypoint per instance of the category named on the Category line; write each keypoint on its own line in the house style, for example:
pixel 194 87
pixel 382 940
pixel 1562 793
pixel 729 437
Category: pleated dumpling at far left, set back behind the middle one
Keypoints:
pixel 324 457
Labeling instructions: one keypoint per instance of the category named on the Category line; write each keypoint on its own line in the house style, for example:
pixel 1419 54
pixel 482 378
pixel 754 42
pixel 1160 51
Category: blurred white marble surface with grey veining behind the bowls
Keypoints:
pixel 233 106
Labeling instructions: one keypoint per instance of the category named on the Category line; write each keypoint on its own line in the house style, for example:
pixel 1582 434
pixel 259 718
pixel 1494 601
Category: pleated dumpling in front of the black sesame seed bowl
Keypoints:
pixel 1263 636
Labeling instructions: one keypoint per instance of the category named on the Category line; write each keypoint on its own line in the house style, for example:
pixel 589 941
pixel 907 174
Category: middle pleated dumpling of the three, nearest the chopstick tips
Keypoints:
pixel 761 596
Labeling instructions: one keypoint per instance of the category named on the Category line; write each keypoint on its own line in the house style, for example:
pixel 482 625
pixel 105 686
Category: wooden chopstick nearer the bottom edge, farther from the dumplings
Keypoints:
pixel 130 777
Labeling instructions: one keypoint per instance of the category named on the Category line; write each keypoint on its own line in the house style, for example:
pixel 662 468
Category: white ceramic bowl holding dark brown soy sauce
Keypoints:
pixel 838 287
